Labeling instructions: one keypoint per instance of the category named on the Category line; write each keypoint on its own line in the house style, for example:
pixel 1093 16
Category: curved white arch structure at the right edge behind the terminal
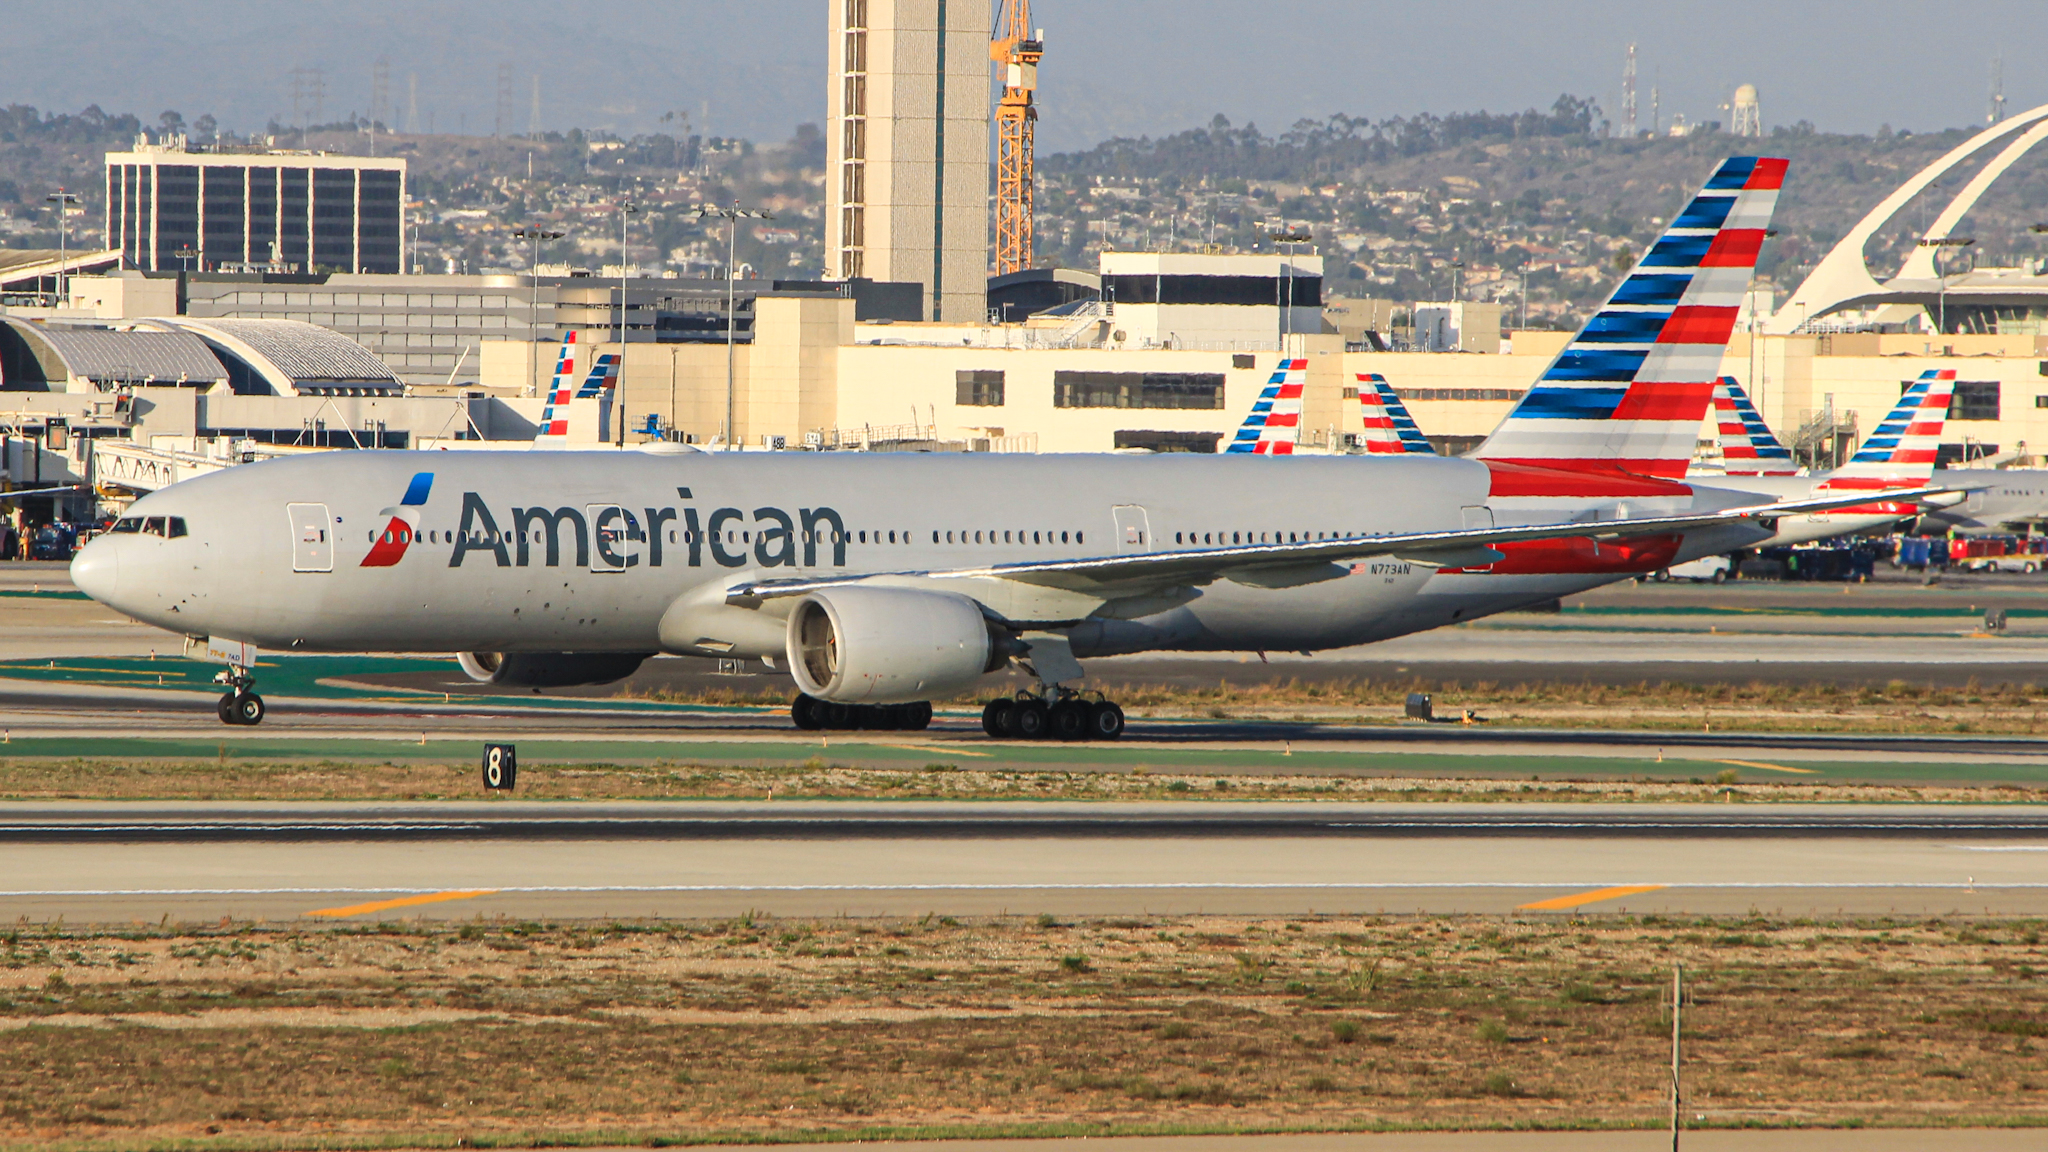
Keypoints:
pixel 1844 278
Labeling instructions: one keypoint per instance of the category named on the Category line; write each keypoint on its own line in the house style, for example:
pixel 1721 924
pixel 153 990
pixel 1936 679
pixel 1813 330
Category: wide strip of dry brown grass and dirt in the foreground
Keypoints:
pixel 497 1034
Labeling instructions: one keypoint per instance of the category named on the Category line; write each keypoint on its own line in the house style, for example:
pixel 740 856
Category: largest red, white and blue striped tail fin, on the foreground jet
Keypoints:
pixel 1631 390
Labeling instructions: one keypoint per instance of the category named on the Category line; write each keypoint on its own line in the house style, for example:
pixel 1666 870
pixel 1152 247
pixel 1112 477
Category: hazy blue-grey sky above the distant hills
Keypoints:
pixel 1113 67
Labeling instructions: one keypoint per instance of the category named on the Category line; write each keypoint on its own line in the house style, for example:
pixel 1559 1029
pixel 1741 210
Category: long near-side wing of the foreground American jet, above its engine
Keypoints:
pixel 1283 565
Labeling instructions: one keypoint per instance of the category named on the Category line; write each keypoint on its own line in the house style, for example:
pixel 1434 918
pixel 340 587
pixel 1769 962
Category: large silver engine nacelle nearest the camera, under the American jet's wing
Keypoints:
pixel 865 645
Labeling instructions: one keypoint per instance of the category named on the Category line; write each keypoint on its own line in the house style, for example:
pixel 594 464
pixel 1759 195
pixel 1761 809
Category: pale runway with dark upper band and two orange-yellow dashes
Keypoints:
pixel 343 864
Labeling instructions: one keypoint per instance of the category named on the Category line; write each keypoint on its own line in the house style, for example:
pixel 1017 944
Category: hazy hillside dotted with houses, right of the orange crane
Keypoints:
pixel 1410 198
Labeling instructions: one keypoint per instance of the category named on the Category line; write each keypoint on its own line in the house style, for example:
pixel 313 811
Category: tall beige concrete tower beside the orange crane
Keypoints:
pixel 908 196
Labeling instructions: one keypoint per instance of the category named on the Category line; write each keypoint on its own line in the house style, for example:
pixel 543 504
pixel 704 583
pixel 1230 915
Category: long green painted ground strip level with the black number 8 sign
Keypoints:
pixel 882 753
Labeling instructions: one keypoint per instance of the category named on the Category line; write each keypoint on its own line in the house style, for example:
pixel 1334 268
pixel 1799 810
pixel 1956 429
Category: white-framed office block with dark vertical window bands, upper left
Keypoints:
pixel 292 212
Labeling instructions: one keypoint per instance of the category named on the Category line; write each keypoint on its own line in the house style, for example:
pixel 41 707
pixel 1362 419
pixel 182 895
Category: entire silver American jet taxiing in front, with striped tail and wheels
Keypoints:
pixel 894 579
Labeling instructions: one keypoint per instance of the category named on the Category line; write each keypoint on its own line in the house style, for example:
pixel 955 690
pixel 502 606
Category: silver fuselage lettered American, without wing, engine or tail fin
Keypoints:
pixel 630 550
